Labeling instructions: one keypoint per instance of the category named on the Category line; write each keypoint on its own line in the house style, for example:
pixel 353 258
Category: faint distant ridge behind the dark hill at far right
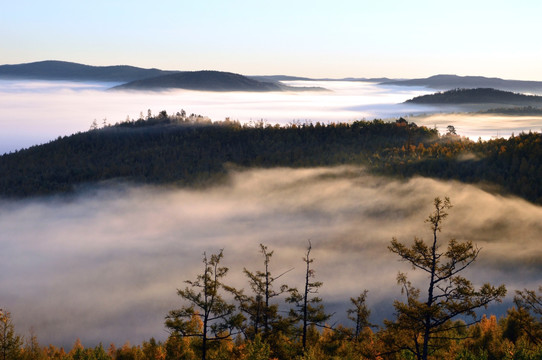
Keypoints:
pixel 448 82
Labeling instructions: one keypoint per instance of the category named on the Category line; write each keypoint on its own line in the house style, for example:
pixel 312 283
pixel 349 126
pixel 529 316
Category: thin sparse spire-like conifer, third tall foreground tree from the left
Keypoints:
pixel 308 309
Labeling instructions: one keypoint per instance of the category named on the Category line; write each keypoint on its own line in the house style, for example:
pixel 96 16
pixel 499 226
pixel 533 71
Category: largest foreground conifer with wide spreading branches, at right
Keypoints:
pixel 428 323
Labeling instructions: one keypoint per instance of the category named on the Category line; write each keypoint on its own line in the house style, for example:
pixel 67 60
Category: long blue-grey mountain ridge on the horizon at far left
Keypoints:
pixel 63 70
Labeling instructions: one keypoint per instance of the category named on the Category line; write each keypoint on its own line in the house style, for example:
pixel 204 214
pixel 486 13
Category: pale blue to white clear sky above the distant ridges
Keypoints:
pixel 307 38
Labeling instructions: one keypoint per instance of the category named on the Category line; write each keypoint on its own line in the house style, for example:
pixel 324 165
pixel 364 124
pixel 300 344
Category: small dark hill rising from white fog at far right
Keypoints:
pixel 477 96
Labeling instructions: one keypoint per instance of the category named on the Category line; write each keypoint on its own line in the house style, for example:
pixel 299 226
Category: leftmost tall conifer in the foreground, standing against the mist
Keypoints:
pixel 218 317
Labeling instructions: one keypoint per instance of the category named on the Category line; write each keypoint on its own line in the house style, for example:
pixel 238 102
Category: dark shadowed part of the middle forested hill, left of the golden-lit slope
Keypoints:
pixel 189 151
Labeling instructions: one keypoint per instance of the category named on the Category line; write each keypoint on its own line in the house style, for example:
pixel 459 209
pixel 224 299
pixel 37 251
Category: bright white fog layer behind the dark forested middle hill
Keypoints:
pixel 34 112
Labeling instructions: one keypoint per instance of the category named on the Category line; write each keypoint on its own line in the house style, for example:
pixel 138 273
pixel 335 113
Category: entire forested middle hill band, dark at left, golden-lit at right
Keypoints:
pixel 193 151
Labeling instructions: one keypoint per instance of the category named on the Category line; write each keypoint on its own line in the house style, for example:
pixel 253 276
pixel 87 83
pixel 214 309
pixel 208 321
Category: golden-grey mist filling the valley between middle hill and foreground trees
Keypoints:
pixel 104 265
